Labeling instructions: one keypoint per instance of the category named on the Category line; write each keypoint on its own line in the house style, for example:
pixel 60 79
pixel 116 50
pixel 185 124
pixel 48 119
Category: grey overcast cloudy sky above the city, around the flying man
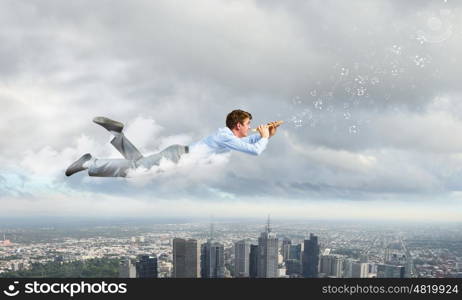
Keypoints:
pixel 369 91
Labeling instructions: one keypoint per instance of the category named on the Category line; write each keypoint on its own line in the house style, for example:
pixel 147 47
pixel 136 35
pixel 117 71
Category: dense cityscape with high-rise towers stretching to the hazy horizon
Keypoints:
pixel 268 249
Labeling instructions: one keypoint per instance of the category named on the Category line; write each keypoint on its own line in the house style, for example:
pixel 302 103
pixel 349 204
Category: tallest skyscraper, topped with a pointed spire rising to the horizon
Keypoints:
pixel 268 254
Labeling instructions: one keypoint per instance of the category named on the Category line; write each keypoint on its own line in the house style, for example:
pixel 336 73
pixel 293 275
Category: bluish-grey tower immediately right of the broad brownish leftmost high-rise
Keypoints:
pixel 212 260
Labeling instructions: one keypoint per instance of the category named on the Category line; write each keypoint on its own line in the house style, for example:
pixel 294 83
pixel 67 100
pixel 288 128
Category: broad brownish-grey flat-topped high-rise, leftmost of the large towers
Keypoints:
pixel 186 258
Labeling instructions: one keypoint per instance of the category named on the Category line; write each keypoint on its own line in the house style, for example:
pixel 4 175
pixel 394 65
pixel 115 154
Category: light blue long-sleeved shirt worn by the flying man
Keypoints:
pixel 223 140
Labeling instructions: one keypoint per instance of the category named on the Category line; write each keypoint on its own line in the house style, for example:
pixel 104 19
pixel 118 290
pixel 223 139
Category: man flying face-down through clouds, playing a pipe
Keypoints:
pixel 232 137
